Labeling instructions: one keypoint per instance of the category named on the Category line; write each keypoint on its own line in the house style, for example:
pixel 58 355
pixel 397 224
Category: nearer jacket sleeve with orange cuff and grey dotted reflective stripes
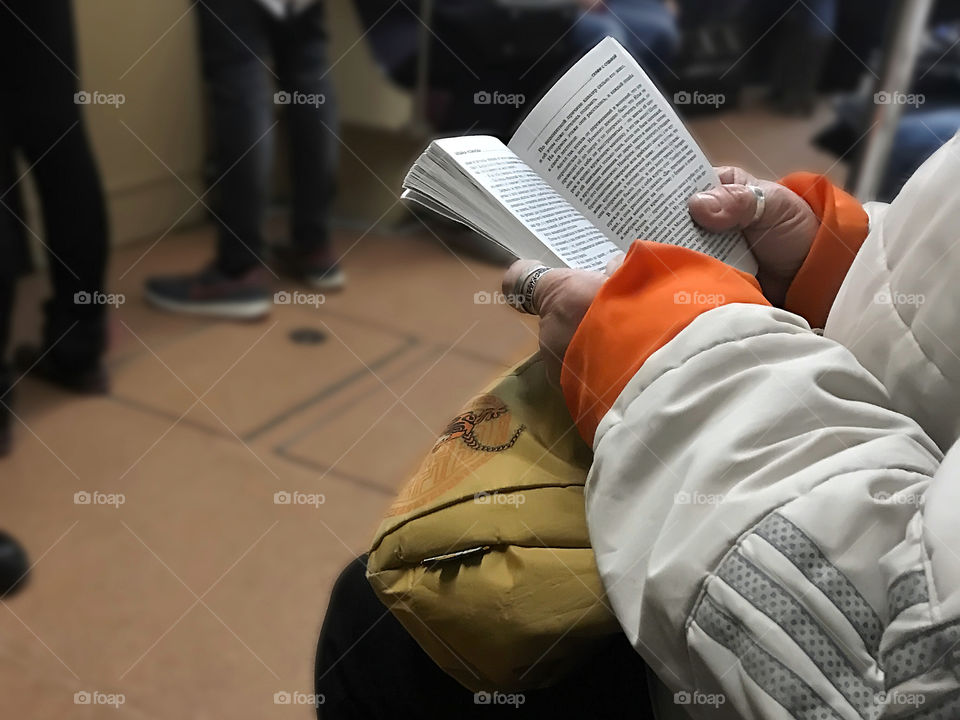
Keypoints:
pixel 748 478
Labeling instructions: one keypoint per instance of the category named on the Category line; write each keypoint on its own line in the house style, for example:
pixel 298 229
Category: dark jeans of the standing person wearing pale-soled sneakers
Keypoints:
pixel 238 39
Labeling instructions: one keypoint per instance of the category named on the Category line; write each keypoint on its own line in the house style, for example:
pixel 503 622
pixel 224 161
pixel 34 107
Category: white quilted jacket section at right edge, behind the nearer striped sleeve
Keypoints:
pixel 896 310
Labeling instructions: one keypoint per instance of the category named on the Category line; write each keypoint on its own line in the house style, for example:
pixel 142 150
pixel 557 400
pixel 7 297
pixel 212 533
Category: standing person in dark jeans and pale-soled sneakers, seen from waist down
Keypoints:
pixel 238 38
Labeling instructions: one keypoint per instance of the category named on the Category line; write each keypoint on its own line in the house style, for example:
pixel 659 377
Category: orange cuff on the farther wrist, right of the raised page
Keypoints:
pixel 843 228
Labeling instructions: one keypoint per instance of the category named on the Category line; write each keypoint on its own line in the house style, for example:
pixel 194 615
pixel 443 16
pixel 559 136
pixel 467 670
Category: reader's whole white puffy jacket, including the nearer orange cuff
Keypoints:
pixel 772 514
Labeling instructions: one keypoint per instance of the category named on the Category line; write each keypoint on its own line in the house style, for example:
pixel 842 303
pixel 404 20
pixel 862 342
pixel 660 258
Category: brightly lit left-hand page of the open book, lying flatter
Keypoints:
pixel 551 220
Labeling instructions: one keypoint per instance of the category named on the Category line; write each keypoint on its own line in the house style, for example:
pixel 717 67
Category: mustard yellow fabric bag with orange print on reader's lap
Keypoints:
pixel 484 556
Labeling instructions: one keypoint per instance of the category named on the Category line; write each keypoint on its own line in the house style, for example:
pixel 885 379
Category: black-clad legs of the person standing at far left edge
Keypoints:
pixel 40 118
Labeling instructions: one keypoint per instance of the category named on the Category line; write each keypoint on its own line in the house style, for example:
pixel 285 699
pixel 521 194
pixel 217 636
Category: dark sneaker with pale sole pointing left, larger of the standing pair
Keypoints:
pixel 211 292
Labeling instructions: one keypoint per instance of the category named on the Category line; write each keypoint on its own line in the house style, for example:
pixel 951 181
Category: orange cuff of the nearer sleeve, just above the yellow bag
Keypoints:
pixel 656 293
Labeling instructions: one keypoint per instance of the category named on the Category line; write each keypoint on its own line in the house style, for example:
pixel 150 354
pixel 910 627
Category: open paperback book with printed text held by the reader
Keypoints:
pixel 601 161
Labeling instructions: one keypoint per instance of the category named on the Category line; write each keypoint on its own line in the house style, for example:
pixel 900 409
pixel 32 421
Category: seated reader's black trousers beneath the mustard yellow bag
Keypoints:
pixel 369 668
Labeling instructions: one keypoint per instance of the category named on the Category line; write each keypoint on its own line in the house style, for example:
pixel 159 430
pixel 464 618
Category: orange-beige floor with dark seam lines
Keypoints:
pixel 199 597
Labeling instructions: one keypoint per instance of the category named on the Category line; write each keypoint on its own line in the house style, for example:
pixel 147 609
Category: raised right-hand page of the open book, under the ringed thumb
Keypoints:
pixel 608 141
